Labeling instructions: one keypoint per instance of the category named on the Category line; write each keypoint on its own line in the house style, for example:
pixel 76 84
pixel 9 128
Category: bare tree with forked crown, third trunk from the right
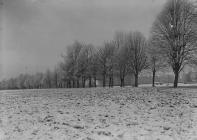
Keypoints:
pixel 137 56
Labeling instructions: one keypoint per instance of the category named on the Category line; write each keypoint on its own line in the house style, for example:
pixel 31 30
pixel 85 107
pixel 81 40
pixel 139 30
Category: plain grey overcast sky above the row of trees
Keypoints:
pixel 34 33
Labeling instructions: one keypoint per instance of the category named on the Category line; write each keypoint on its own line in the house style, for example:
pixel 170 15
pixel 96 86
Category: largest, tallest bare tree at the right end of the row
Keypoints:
pixel 175 34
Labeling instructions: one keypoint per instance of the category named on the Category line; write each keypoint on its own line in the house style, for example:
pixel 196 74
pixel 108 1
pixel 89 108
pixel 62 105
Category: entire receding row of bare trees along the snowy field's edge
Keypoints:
pixel 172 43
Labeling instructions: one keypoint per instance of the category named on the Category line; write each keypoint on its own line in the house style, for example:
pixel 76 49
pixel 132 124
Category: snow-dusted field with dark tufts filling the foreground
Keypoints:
pixel 99 114
